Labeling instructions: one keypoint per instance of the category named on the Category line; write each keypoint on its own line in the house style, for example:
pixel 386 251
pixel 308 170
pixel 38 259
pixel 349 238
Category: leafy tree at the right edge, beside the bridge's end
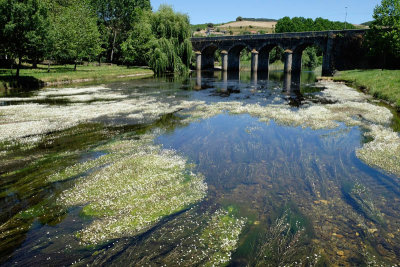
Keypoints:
pixel 384 37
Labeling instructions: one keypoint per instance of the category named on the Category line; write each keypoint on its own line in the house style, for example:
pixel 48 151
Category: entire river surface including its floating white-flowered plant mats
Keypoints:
pixel 277 171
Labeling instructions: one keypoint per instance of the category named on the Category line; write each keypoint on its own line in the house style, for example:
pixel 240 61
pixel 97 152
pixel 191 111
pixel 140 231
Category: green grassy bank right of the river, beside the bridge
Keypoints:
pixel 382 84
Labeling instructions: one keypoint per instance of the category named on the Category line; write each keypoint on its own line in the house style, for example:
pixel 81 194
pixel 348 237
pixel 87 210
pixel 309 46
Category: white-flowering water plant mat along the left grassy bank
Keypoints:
pixel 29 121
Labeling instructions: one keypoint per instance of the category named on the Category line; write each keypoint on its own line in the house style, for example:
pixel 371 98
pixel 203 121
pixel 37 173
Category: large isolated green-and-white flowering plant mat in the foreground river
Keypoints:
pixel 134 192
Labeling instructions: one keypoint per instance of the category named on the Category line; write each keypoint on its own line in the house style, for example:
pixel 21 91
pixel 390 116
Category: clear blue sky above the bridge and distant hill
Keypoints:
pixel 216 11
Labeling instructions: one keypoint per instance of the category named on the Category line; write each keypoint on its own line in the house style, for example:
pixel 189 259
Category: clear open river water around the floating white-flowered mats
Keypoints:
pixel 305 195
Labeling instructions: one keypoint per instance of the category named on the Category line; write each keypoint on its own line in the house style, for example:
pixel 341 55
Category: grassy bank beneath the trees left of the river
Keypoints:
pixel 65 74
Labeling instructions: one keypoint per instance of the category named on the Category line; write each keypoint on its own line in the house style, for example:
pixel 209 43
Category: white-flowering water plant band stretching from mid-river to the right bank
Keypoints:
pixel 350 108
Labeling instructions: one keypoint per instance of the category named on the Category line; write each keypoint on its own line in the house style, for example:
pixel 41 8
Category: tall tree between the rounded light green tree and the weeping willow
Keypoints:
pixel 118 18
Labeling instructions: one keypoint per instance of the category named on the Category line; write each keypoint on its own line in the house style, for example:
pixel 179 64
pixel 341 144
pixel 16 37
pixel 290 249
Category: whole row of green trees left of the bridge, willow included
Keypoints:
pixel 114 31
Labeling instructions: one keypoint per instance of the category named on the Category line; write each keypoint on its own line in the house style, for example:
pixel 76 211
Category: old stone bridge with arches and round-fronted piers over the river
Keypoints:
pixel 341 50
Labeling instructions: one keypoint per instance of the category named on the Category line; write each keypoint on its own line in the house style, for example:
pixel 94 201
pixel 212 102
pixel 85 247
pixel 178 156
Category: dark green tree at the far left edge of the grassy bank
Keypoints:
pixel 23 29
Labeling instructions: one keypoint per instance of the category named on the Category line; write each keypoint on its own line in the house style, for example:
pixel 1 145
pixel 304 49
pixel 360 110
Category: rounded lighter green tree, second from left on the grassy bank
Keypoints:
pixel 74 34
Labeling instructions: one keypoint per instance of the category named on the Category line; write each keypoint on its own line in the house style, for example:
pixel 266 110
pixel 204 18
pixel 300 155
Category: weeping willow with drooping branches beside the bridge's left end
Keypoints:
pixel 162 41
